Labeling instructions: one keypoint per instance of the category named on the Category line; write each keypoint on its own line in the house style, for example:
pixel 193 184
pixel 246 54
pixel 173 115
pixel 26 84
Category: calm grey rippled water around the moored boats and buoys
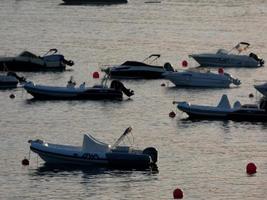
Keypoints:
pixel 206 159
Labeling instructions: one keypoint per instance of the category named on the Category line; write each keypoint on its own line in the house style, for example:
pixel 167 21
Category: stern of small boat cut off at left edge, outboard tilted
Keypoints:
pixel 10 80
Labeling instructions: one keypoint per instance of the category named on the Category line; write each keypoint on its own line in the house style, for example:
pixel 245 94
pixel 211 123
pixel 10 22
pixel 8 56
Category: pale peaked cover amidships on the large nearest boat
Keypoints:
pixel 90 144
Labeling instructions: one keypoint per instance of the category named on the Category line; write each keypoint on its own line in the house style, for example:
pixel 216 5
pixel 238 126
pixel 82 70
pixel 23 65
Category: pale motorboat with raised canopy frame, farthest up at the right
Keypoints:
pixel 224 58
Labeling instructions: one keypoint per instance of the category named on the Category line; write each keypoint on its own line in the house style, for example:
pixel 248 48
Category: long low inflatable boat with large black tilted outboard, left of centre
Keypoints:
pixel 71 92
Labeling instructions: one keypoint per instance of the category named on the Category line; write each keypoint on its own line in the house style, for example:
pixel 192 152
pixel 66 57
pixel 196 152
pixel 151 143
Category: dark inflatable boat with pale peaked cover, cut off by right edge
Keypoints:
pixel 238 112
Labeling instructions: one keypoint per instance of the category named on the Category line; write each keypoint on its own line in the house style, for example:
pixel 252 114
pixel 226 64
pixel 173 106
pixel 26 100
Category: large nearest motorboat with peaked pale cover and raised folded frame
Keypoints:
pixel 95 152
